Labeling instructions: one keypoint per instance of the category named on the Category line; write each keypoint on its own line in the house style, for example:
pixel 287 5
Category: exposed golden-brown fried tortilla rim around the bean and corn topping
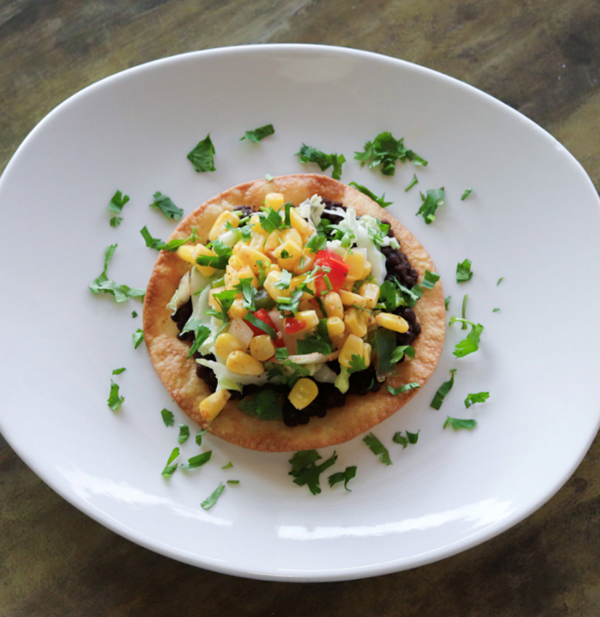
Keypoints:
pixel 360 413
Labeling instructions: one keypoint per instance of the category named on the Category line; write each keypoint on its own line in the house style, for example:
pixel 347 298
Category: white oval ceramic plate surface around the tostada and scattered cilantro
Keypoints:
pixel 532 218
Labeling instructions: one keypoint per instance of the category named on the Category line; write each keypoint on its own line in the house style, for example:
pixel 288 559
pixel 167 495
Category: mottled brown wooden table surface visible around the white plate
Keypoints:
pixel 542 58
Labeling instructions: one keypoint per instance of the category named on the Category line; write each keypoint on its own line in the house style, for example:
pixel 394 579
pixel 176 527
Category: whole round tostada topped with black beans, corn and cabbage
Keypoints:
pixel 291 307
